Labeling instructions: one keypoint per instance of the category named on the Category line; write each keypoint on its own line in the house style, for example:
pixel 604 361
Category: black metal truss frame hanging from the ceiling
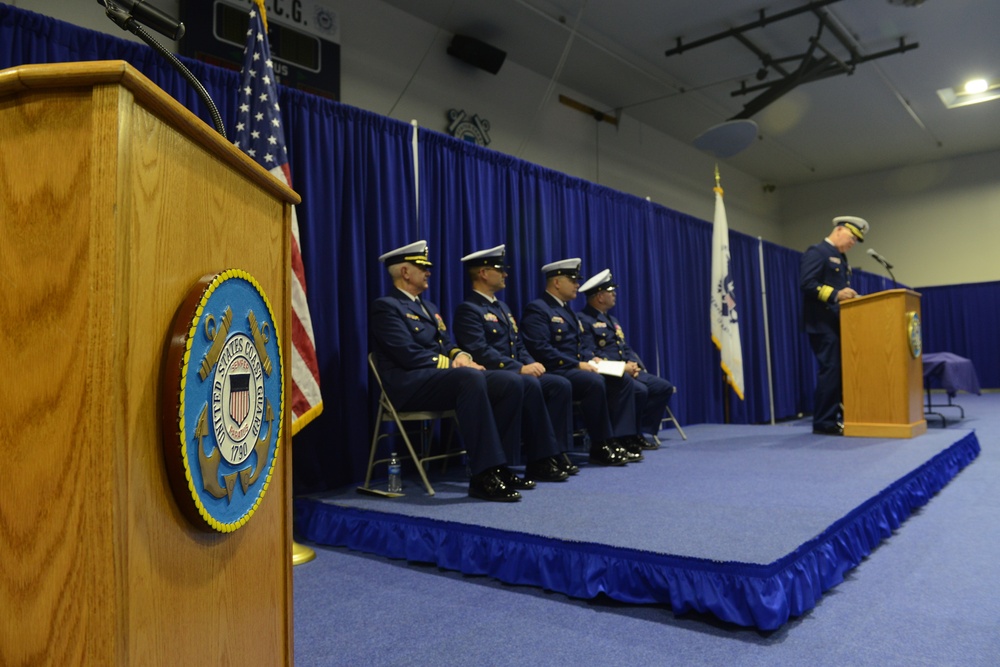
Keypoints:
pixel 815 63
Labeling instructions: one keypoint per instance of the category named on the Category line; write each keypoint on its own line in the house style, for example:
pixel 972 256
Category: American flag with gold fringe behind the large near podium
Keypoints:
pixel 260 135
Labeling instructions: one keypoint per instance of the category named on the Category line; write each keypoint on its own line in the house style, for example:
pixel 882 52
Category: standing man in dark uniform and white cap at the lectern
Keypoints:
pixel 825 280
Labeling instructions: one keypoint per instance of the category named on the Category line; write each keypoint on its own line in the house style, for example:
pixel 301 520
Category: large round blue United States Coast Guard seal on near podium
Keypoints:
pixel 223 401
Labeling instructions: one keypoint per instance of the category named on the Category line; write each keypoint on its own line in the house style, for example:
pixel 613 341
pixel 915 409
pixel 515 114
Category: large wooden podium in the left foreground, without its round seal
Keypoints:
pixel 114 201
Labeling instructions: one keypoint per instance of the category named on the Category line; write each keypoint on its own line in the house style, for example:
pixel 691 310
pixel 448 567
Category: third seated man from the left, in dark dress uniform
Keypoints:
pixel 553 335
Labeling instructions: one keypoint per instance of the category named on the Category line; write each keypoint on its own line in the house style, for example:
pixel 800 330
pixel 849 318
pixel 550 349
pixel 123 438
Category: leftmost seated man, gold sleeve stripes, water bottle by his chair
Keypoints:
pixel 423 370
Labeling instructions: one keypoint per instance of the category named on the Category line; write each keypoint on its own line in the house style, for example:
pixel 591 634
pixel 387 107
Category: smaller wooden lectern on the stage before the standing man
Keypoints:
pixel 883 380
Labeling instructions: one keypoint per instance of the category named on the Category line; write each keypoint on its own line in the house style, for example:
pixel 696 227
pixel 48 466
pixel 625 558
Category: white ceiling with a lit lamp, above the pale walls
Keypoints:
pixel 885 114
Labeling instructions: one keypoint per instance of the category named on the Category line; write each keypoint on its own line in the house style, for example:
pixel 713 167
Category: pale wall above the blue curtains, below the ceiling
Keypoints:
pixel 938 222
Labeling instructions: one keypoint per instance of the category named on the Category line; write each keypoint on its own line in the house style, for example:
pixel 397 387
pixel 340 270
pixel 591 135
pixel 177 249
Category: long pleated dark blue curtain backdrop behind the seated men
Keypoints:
pixel 354 171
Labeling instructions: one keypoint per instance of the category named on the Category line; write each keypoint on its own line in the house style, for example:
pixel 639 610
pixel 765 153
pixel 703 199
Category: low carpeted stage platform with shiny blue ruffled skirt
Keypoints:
pixel 751 524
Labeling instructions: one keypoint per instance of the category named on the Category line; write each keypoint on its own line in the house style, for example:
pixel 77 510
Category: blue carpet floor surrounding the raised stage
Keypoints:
pixel 925 598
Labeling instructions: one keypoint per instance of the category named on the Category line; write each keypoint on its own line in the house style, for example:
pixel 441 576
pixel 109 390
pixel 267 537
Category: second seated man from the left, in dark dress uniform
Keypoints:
pixel 485 328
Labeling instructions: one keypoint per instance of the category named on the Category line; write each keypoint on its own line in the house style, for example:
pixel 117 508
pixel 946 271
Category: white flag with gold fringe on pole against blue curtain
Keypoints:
pixel 725 324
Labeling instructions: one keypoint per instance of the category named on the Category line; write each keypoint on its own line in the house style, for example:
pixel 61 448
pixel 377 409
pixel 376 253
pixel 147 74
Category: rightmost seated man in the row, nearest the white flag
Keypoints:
pixel 607 340
